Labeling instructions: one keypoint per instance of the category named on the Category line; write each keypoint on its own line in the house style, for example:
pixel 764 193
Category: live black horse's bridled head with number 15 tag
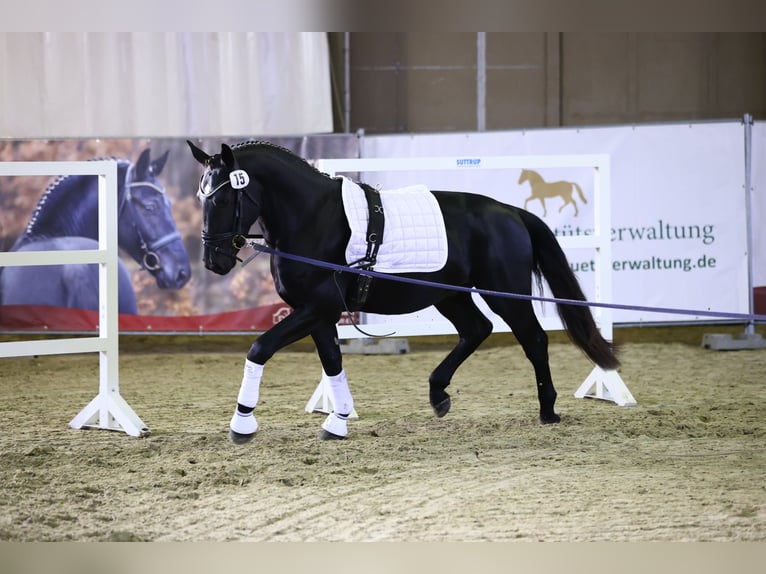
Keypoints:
pixel 230 205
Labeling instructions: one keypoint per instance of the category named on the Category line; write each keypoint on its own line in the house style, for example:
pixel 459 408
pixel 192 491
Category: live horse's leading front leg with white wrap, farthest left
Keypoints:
pixel 295 326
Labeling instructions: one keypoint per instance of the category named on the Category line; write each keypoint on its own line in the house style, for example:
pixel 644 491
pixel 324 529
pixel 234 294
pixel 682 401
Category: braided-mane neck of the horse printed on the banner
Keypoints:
pixel 69 209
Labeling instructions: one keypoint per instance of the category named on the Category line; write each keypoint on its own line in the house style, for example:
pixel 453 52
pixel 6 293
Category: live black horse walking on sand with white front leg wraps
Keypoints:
pixel 491 246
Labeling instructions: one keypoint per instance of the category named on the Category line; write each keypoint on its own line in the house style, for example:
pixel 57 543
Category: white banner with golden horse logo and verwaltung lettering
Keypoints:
pixel 679 232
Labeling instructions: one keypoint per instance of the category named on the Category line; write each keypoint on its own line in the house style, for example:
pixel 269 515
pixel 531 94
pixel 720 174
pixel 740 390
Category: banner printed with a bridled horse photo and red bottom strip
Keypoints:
pixel 162 284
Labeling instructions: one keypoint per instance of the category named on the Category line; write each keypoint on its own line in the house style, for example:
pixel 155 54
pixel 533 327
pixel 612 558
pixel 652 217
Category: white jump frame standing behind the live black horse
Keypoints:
pixel 600 384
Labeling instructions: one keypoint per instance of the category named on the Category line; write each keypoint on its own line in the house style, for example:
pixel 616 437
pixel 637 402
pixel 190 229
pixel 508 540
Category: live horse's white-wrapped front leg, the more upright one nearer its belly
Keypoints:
pixel 326 340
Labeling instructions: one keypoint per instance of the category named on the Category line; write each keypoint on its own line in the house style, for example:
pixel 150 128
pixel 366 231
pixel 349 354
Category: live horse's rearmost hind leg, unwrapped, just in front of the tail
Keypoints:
pixel 520 317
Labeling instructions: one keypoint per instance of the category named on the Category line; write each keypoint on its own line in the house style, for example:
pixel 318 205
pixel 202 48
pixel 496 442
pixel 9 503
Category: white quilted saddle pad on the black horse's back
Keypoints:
pixel 414 236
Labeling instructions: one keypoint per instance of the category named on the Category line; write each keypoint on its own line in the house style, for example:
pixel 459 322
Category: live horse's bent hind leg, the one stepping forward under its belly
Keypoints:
pixel 473 328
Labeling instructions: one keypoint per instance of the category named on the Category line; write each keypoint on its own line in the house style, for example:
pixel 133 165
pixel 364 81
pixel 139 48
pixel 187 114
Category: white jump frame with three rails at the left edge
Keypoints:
pixel 108 410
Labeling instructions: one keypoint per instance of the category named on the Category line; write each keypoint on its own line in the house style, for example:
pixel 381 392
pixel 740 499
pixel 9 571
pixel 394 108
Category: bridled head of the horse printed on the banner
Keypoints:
pixel 147 228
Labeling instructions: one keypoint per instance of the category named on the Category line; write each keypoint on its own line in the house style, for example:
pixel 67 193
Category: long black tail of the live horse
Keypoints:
pixel 551 262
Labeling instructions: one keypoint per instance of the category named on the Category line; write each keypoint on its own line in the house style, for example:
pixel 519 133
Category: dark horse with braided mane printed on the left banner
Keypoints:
pixel 66 218
